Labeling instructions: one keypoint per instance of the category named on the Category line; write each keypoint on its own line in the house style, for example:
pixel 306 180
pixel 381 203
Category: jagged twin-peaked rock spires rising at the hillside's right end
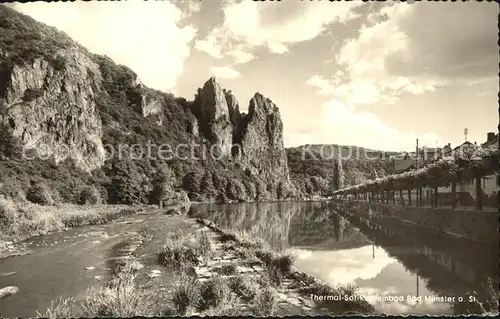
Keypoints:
pixel 255 140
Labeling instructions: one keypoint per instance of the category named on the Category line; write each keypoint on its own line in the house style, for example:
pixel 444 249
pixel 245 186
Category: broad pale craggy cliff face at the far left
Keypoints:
pixel 52 109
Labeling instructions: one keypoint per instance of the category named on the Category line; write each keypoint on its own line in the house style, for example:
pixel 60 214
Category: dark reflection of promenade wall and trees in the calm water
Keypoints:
pixel 449 266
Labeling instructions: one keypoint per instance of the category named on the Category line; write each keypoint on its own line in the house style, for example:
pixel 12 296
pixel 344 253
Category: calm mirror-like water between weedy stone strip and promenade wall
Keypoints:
pixel 380 255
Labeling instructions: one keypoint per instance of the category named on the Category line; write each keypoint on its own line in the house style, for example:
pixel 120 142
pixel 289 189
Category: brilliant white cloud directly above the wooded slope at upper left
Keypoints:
pixel 145 36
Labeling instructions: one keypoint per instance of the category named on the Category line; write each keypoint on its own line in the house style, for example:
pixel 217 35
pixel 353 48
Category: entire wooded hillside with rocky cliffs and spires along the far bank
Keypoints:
pixel 76 127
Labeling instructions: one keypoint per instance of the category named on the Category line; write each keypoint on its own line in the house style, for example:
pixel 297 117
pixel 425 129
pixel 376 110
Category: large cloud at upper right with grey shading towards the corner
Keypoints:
pixel 413 48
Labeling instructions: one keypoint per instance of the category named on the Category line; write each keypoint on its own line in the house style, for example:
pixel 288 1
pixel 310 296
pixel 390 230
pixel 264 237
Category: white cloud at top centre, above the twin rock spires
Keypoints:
pixel 249 24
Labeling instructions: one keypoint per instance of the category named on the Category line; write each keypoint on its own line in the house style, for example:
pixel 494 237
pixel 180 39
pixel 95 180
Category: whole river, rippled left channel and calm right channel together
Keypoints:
pixel 380 256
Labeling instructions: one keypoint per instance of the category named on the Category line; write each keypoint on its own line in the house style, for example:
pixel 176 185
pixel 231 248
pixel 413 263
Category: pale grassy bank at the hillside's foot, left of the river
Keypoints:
pixel 20 221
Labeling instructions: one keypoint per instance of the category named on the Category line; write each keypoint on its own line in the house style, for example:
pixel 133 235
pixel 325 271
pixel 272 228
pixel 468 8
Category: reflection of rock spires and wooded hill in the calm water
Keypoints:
pixel 286 224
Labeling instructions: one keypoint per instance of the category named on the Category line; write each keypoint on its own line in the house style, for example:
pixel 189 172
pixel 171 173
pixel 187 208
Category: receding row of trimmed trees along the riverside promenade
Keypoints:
pixel 406 188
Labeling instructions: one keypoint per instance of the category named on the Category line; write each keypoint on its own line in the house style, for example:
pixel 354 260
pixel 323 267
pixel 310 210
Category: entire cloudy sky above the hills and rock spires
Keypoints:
pixel 371 74
